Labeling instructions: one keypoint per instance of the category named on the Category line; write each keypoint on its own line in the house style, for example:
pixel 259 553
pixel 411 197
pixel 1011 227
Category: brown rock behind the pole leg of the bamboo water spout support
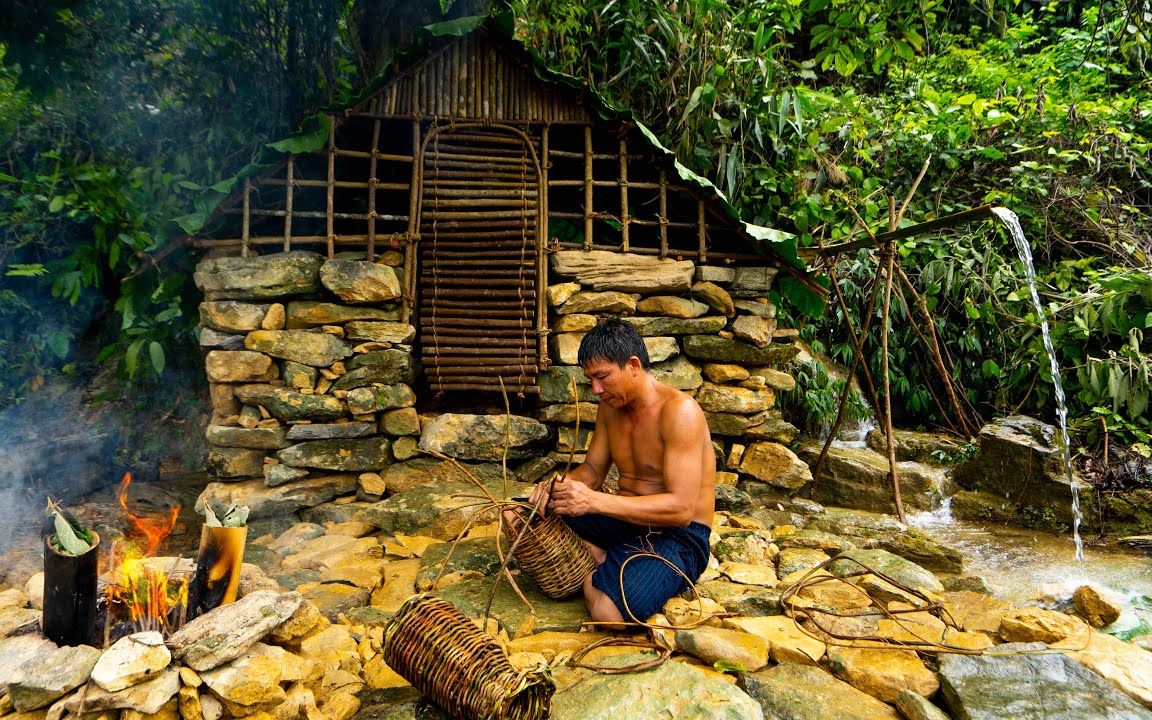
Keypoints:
pixel 859 479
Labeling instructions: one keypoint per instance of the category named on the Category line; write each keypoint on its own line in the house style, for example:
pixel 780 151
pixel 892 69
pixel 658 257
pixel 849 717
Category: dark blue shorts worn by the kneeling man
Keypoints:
pixel 648 582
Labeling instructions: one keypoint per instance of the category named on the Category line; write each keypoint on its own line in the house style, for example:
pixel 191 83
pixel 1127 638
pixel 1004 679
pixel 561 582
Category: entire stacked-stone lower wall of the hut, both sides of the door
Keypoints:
pixel 312 374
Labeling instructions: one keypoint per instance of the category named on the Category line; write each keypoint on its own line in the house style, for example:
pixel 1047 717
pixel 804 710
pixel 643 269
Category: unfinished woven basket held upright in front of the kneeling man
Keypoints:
pixel 551 554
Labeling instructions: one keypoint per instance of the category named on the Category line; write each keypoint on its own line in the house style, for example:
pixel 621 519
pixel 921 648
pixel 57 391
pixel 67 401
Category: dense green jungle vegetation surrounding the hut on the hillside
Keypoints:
pixel 122 115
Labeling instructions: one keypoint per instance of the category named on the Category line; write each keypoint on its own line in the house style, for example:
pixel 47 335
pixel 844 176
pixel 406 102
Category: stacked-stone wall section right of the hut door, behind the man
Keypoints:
pixel 710 331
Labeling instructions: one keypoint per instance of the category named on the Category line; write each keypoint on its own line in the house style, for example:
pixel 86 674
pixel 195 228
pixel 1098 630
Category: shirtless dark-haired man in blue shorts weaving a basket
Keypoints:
pixel 660 442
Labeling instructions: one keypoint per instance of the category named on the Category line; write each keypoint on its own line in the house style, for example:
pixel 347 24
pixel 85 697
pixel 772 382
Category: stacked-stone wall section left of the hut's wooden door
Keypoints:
pixel 310 374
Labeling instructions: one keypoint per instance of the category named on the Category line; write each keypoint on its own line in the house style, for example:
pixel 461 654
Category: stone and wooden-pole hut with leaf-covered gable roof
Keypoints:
pixel 450 239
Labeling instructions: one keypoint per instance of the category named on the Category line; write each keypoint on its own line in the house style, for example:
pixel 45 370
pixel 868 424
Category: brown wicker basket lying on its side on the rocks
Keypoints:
pixel 444 655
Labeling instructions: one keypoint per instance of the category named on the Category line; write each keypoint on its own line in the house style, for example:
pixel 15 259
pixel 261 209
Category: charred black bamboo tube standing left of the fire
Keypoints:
pixel 70 595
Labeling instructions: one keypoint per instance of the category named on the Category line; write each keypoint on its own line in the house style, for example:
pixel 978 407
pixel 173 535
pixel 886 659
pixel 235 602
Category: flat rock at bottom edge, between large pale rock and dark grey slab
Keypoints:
pixel 806 693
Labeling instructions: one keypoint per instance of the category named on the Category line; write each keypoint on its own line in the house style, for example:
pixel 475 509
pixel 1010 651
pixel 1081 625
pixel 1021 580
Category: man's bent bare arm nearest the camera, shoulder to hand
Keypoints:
pixel 683 429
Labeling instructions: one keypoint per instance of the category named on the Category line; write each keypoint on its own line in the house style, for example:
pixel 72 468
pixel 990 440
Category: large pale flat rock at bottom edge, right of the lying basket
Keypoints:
pixel 671 691
